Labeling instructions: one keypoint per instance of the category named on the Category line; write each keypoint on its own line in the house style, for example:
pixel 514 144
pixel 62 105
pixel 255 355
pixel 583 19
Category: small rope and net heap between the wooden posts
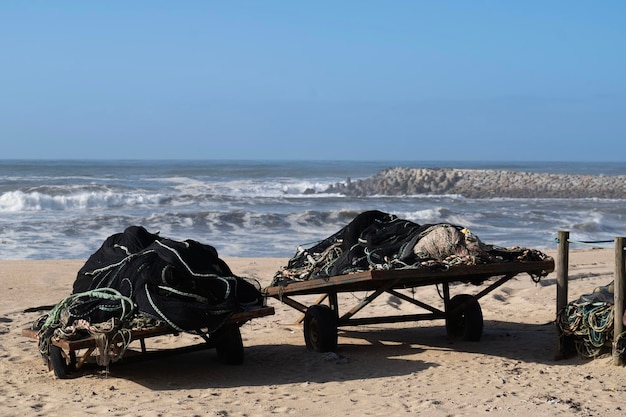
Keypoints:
pixel 589 322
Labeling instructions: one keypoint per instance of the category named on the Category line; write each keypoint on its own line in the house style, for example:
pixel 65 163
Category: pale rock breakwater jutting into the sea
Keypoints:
pixel 483 184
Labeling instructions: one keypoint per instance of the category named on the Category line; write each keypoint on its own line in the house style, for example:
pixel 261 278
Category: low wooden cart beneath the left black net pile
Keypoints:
pixel 66 356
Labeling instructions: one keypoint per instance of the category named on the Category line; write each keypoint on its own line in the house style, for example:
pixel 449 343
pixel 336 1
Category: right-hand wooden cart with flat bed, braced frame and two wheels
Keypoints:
pixel 462 312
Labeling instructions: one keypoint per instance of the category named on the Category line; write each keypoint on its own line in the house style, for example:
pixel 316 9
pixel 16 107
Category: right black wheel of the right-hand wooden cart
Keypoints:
pixel 466 324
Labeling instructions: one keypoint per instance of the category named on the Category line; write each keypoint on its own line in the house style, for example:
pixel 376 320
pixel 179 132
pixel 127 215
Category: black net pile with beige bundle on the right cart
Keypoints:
pixel 379 240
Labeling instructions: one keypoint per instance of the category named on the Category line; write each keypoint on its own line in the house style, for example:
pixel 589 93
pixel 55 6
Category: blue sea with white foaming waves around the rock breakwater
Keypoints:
pixel 65 209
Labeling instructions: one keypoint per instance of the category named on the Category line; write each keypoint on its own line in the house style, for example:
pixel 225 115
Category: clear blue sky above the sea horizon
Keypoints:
pixel 365 80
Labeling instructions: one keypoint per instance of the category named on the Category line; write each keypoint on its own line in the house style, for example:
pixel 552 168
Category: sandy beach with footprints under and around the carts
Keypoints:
pixel 404 369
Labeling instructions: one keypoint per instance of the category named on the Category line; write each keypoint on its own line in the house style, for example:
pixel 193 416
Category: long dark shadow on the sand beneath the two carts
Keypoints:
pixel 363 353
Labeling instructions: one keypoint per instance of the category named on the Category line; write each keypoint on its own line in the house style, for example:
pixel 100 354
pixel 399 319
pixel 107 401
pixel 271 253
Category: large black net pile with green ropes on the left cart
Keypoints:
pixel 138 279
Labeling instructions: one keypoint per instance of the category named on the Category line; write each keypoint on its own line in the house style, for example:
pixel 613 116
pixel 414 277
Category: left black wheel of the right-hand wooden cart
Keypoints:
pixel 320 328
